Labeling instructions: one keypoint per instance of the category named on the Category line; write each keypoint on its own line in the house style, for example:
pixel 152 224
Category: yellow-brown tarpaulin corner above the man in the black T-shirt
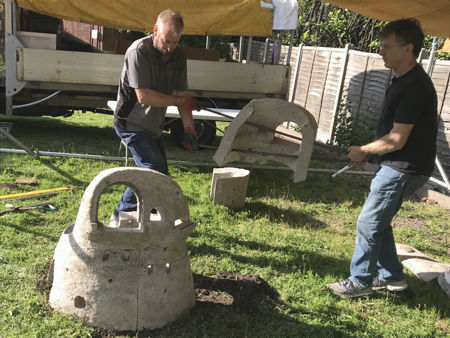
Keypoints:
pixel 434 15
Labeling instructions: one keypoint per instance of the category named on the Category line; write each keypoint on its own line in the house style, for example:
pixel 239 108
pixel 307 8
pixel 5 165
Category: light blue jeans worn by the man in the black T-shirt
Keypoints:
pixel 374 245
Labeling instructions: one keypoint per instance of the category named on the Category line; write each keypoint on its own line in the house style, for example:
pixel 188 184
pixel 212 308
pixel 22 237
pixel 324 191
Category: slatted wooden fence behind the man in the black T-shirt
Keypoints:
pixel 329 78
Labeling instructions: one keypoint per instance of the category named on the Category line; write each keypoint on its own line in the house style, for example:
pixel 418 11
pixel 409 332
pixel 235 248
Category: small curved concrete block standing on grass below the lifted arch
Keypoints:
pixel 229 187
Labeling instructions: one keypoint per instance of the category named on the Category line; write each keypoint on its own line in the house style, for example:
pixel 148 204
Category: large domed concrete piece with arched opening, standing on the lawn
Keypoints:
pixel 126 278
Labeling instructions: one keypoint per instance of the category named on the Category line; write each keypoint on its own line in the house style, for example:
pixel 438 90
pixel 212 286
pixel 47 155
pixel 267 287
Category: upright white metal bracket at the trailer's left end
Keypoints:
pixel 12 84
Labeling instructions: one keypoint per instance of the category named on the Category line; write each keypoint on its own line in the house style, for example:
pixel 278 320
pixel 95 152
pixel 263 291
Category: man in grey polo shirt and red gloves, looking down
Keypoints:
pixel 153 77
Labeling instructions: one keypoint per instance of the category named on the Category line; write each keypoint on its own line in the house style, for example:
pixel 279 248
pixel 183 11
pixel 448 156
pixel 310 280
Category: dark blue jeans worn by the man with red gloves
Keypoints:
pixel 147 153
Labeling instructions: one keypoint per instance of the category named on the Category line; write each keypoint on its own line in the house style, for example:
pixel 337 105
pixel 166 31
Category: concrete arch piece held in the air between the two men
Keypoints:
pixel 270 113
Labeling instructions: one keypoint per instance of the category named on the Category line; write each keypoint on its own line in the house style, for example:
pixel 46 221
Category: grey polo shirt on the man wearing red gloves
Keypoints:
pixel 143 68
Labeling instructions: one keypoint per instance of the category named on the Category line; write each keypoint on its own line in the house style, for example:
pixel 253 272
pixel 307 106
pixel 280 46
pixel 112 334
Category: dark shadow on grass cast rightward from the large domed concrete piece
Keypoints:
pixel 229 305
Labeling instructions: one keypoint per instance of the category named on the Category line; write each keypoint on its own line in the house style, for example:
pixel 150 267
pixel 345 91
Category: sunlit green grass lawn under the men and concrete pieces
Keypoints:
pixel 295 237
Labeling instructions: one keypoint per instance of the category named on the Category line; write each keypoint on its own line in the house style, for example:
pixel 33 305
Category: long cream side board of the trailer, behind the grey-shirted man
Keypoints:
pixel 104 69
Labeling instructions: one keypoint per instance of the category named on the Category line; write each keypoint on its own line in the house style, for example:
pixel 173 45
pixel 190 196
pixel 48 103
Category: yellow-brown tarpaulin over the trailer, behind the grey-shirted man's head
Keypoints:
pixel 201 17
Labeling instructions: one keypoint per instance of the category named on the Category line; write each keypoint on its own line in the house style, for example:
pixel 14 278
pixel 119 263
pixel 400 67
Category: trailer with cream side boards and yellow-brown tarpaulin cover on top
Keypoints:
pixel 42 80
